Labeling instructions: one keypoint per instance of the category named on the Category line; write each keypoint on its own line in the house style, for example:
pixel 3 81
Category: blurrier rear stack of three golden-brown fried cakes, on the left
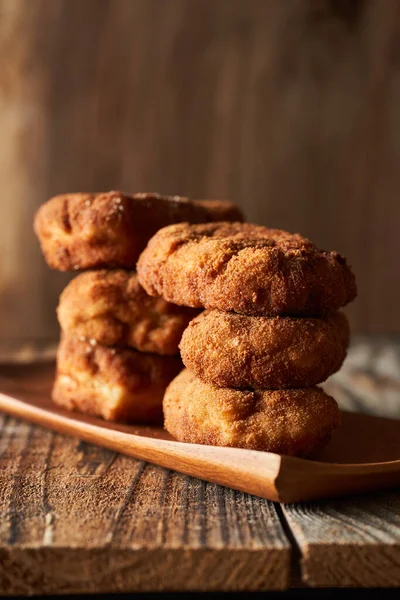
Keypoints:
pixel 119 346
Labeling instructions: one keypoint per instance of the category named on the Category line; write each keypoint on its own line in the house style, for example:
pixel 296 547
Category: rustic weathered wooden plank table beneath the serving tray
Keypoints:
pixel 77 518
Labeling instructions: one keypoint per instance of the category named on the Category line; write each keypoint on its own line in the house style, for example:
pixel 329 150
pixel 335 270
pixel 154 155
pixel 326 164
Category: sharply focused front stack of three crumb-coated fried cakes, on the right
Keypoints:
pixel 270 333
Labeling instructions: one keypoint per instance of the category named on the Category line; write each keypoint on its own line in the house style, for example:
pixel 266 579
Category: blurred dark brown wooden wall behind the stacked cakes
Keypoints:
pixel 291 107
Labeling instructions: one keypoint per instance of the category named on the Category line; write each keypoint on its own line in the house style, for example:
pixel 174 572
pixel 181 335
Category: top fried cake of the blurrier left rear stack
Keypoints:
pixel 84 231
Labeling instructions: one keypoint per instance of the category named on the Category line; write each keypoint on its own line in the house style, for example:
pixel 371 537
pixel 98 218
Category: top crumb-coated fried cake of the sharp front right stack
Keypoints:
pixel 244 268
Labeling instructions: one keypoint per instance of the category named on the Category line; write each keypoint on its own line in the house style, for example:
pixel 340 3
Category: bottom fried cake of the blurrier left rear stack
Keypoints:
pixel 116 384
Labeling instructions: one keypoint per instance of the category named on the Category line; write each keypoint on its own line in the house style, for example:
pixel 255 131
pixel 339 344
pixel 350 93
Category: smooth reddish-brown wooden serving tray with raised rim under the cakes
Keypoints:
pixel 350 463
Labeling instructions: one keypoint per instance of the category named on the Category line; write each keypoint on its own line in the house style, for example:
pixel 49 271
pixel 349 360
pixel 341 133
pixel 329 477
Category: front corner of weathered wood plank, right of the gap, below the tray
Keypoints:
pixel 350 542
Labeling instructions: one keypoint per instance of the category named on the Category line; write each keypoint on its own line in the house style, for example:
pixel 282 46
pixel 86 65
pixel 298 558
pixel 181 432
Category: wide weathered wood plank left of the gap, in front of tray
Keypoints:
pixel 76 518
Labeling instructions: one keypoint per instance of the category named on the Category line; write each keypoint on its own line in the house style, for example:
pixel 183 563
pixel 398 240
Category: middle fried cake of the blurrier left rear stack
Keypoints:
pixel 112 308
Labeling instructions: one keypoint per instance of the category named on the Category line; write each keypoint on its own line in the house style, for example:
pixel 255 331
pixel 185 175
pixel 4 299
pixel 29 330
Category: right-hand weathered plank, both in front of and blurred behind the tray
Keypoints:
pixel 354 541
